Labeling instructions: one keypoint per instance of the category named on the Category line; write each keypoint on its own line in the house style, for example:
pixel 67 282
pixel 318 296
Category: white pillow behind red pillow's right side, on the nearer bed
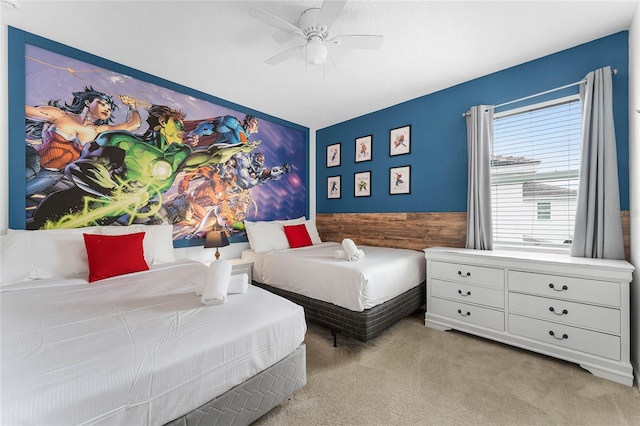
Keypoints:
pixel 157 243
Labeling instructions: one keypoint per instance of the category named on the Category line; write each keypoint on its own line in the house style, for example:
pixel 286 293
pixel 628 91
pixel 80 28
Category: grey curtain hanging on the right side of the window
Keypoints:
pixel 598 227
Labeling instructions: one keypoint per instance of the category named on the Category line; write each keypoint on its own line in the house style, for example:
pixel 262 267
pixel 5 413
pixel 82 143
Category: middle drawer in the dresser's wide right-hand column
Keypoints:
pixel 586 316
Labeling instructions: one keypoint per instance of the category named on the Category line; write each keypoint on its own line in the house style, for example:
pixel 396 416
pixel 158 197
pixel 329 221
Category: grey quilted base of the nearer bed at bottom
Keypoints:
pixel 253 398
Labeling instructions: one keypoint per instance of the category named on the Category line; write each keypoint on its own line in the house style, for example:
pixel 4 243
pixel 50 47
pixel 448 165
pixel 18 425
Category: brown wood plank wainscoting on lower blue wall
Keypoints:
pixel 414 231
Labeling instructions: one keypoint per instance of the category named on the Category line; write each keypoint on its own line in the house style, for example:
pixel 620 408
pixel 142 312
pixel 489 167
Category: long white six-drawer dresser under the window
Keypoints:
pixel 571 308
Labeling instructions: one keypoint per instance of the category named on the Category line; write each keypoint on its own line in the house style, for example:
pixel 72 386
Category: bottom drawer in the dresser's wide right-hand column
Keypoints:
pixel 588 341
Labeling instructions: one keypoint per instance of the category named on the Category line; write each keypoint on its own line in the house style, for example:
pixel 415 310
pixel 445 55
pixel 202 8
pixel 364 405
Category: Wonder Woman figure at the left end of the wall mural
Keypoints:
pixel 58 132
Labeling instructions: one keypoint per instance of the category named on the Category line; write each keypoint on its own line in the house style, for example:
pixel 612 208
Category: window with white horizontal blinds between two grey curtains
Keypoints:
pixel 534 174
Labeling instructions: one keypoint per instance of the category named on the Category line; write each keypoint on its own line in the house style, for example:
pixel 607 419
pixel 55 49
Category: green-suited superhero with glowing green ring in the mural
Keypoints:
pixel 121 176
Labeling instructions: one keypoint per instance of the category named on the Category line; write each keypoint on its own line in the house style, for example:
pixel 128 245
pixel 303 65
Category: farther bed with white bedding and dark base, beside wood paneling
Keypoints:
pixel 359 299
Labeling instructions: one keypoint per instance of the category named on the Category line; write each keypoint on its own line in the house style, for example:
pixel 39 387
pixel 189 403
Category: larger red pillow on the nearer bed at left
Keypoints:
pixel 112 255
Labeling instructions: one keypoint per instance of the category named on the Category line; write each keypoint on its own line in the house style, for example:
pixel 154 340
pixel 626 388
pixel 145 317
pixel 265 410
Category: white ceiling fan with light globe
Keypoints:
pixel 314 27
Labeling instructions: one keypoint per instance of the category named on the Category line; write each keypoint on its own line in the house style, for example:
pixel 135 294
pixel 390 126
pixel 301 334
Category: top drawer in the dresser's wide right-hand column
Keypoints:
pixel 570 288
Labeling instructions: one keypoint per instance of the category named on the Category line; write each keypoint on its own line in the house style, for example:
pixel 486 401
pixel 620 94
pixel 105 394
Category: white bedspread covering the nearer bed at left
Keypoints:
pixel 136 349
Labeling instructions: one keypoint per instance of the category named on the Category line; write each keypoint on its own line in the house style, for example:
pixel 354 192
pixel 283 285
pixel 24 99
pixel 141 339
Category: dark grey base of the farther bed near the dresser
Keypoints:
pixel 363 325
